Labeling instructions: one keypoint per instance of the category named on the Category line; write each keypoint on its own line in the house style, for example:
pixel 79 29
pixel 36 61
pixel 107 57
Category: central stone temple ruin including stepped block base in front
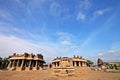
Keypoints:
pixel 65 66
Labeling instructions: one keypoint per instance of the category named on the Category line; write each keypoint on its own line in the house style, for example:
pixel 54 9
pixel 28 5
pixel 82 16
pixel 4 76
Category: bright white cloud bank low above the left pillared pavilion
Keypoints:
pixel 12 44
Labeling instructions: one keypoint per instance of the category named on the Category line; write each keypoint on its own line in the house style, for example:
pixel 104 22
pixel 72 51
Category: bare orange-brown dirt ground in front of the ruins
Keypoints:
pixel 80 74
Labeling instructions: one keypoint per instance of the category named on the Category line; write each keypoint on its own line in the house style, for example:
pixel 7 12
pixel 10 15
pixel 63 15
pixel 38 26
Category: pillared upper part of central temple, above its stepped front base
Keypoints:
pixel 76 61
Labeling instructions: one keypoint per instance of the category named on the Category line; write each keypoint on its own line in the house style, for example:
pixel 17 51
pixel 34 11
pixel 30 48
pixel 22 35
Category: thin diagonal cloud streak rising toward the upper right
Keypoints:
pixel 98 31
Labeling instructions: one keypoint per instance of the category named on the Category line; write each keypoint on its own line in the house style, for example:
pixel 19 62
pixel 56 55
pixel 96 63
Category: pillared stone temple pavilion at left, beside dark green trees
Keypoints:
pixel 26 62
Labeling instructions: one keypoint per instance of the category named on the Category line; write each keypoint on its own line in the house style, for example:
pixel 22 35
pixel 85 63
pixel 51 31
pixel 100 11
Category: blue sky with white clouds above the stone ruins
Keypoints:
pixel 88 28
